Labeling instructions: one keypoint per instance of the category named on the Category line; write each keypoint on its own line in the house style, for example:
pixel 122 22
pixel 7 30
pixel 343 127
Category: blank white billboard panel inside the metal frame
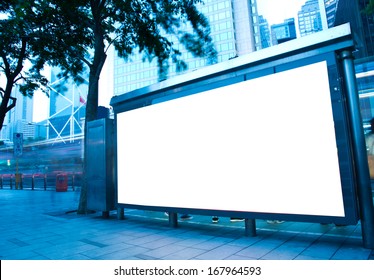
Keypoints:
pixel 264 145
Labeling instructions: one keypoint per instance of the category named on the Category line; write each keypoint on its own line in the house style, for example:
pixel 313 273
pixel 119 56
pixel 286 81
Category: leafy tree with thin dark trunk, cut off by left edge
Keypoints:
pixel 18 29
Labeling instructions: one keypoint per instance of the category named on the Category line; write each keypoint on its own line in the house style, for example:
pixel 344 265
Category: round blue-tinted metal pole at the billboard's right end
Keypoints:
pixel 359 151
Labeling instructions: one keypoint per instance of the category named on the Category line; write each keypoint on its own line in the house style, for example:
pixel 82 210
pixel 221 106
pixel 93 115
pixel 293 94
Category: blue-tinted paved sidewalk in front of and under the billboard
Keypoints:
pixel 42 225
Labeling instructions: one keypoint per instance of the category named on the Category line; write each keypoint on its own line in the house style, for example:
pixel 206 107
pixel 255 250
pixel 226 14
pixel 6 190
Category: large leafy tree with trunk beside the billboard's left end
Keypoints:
pixel 136 25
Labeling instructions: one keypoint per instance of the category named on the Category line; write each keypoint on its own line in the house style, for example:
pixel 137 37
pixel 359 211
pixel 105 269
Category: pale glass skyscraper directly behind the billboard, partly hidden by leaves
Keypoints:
pixel 235 29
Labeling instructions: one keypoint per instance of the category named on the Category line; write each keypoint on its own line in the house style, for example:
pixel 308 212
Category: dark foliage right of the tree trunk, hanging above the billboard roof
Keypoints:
pixel 153 27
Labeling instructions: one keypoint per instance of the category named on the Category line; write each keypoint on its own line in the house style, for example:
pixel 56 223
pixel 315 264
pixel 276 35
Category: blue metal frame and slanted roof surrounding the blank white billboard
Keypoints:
pixel 324 46
